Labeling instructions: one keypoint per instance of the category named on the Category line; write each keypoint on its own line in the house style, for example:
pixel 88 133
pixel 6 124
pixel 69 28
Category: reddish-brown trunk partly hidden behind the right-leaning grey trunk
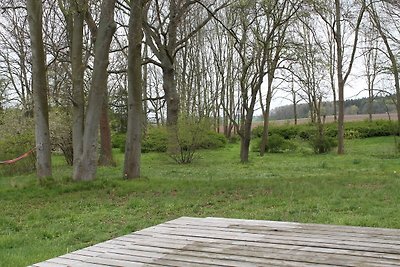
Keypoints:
pixel 106 157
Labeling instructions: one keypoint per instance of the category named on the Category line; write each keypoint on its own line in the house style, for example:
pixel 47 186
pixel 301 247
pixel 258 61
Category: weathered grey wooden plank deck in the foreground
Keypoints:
pixel 231 242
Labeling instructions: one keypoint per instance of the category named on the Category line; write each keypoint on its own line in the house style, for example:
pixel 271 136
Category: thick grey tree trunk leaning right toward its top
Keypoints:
pixel 87 162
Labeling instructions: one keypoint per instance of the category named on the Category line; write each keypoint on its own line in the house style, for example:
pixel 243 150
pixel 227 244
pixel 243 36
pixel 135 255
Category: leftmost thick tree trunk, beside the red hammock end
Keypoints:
pixel 39 86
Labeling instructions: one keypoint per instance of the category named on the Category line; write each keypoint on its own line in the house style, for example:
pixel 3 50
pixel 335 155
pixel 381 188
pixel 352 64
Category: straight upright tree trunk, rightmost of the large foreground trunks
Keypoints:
pixel 135 116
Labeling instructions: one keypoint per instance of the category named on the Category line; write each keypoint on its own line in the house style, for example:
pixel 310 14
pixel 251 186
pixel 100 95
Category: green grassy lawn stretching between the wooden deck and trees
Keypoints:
pixel 360 188
